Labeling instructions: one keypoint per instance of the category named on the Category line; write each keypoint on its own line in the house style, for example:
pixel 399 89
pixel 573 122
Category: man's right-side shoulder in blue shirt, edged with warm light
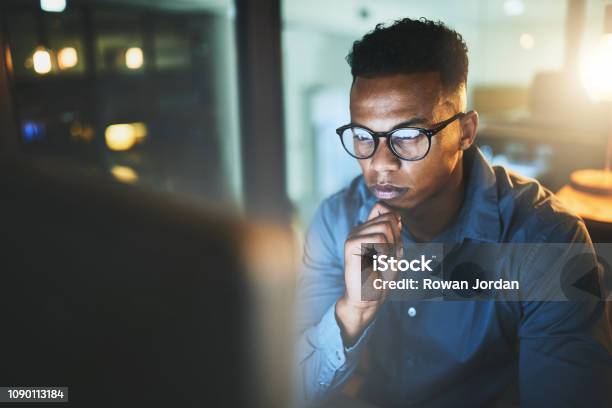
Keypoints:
pixel 530 212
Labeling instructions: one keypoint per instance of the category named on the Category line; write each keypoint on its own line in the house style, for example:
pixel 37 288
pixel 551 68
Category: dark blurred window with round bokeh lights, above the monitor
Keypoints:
pixel 143 92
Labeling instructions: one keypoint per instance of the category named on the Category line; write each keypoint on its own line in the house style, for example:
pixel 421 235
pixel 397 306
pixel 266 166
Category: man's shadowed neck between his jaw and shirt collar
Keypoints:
pixel 439 211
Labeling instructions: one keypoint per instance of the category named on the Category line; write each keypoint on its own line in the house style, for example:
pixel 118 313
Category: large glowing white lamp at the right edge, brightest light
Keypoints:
pixel 596 70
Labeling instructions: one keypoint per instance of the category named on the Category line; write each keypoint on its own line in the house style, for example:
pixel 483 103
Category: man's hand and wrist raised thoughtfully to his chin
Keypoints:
pixel 354 314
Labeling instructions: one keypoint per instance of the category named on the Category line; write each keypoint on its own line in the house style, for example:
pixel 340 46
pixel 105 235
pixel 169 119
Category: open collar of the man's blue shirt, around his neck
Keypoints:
pixel 479 216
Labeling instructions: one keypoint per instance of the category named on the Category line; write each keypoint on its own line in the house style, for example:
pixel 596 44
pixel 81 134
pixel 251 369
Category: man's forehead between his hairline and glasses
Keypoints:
pixel 398 96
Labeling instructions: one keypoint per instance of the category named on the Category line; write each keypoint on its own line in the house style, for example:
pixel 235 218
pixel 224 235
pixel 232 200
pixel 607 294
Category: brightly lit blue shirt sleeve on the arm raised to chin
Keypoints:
pixel 323 363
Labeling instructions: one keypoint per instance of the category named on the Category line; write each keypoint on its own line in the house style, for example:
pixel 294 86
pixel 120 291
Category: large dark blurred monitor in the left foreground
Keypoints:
pixel 126 298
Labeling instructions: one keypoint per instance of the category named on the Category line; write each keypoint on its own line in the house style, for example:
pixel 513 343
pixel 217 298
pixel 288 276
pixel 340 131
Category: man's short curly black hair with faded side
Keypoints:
pixel 411 46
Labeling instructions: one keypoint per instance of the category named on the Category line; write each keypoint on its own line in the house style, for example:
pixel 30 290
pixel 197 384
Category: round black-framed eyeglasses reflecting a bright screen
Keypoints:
pixel 407 143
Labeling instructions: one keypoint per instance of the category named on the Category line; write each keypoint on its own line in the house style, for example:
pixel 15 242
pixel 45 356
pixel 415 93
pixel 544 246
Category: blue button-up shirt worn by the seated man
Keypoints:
pixel 464 353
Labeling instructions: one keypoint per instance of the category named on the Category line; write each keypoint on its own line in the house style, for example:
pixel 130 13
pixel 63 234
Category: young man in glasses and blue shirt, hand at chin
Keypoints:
pixel 424 181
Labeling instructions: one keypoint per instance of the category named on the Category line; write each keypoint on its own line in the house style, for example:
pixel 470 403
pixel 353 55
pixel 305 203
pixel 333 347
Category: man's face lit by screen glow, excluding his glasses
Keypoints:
pixel 384 102
